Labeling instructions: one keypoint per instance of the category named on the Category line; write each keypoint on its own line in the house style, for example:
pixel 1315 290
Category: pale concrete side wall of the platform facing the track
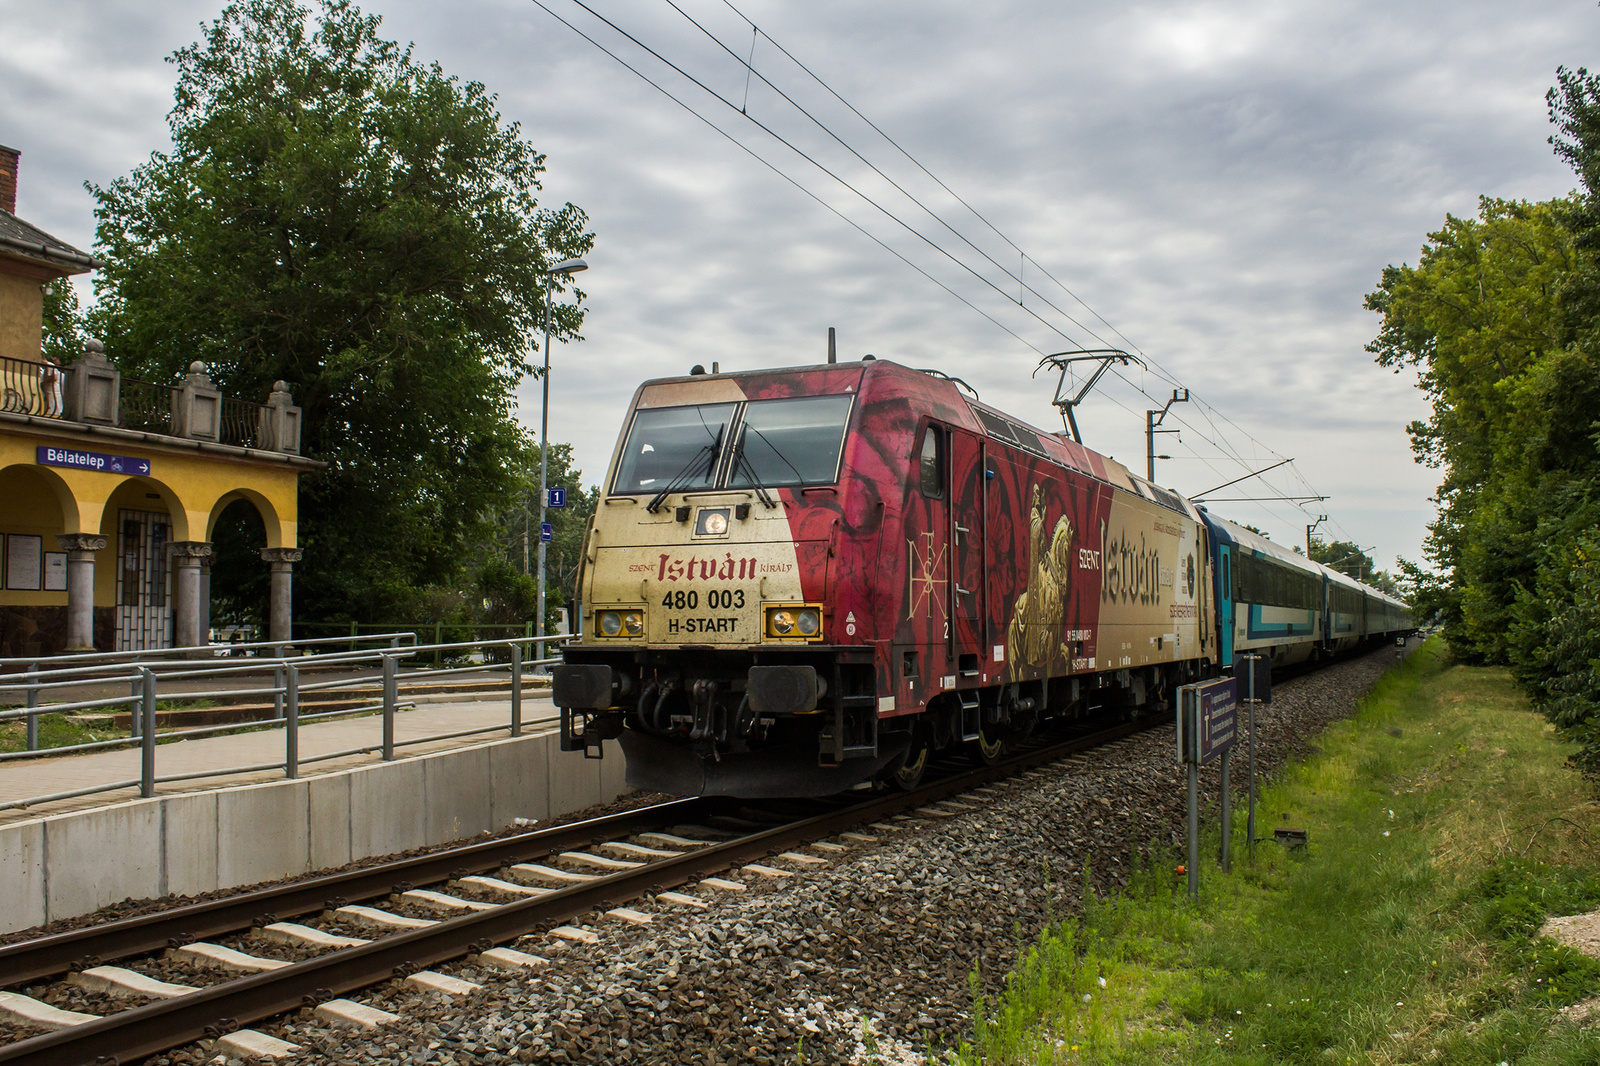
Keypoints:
pixel 194 843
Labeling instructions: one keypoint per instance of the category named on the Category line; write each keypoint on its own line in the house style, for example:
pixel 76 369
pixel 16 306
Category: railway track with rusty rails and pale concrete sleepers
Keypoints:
pixel 586 867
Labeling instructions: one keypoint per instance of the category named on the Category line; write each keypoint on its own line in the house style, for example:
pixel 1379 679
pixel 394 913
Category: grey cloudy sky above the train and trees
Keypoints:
pixel 1222 183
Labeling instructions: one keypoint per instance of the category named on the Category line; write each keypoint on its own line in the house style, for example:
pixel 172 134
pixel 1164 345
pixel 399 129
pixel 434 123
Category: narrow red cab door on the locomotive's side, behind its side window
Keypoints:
pixel 969 545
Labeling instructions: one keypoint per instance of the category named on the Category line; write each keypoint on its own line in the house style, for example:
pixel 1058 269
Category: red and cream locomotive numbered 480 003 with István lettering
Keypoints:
pixel 804 580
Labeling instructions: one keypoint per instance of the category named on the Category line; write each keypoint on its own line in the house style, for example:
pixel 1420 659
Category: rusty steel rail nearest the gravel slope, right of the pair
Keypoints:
pixel 222 1009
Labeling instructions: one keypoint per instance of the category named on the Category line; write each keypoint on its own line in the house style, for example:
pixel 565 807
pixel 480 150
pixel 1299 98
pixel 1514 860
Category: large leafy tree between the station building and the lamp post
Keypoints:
pixel 366 228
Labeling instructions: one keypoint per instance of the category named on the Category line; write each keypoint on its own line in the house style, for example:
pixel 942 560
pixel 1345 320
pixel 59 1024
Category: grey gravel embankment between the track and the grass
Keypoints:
pixel 889 932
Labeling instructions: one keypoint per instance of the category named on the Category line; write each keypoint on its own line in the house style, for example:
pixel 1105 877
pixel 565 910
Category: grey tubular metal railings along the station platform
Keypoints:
pixel 286 691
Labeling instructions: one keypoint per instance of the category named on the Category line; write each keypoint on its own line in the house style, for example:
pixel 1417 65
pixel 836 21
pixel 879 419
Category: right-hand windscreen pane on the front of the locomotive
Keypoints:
pixel 791 443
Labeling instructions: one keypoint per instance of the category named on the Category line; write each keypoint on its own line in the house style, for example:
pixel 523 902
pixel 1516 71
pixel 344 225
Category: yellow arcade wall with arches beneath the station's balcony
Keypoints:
pixel 190 486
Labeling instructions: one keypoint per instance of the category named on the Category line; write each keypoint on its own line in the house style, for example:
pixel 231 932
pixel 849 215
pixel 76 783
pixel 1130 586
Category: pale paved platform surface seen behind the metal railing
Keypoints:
pixel 47 775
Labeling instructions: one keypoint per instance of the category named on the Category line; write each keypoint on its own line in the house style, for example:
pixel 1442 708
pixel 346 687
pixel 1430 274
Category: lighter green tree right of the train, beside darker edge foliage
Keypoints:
pixel 1481 321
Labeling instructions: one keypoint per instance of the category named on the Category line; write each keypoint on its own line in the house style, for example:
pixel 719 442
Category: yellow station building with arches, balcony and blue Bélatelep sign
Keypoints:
pixel 111 487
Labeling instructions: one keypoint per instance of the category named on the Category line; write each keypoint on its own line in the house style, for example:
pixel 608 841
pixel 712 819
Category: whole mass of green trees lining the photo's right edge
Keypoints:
pixel 1500 318
